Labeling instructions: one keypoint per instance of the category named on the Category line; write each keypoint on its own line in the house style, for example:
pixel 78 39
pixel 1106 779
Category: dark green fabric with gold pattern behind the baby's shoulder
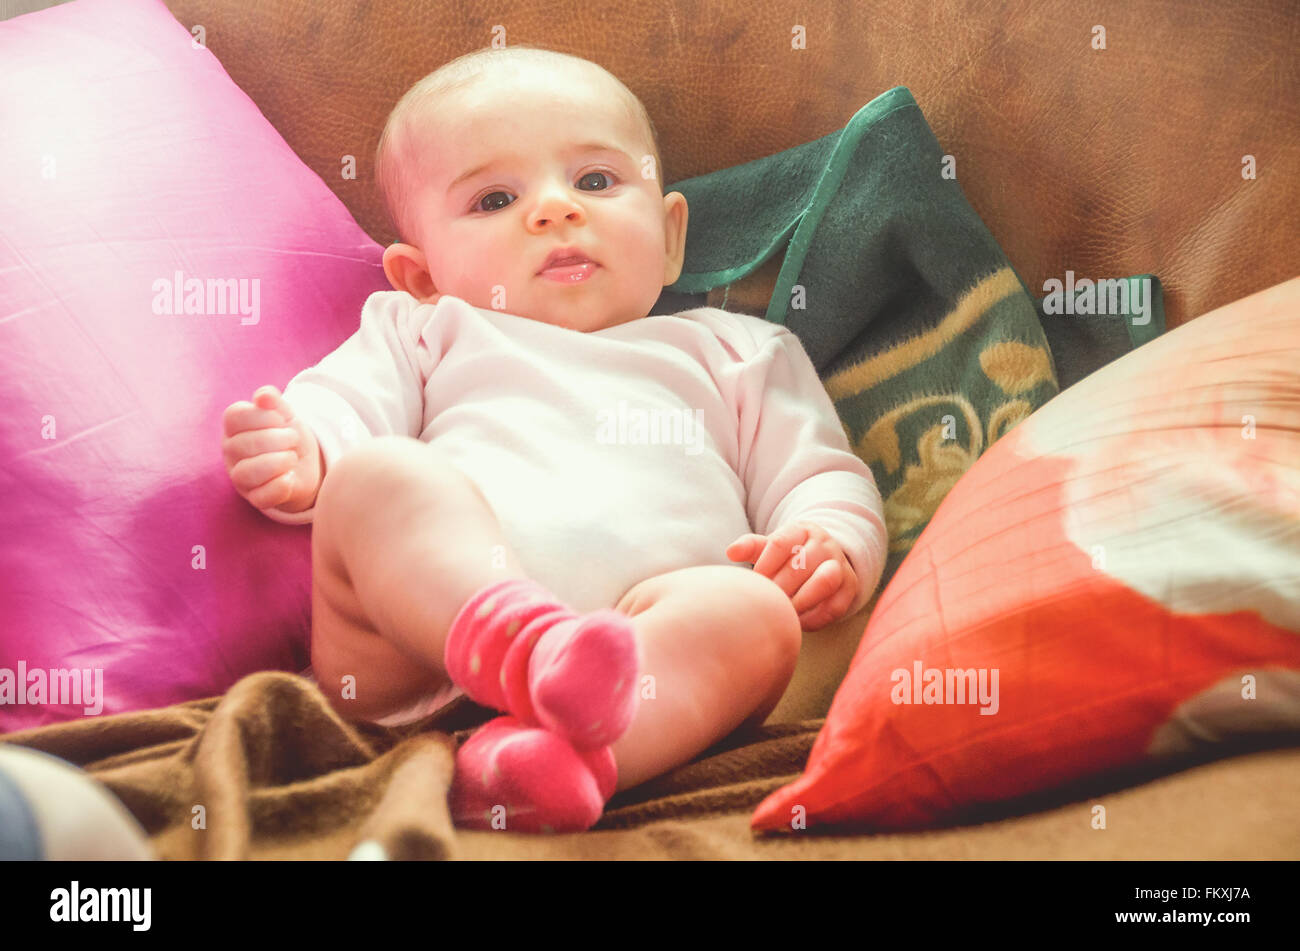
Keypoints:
pixel 926 338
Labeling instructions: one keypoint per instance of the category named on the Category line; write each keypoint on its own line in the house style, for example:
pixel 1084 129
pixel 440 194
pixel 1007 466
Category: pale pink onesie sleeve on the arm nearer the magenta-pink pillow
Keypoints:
pixel 370 387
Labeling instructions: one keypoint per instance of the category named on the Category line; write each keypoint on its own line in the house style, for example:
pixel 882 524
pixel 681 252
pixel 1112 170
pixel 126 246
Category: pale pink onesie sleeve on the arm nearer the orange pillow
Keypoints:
pixel 798 464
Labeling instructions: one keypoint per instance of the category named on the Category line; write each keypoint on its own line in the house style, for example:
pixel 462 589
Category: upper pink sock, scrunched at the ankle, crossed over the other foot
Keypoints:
pixel 517 649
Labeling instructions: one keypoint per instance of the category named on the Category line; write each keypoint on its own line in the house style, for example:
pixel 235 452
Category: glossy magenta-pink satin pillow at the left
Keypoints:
pixel 132 162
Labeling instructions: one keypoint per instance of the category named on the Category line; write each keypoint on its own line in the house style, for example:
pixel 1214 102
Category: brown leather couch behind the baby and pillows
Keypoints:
pixel 1119 160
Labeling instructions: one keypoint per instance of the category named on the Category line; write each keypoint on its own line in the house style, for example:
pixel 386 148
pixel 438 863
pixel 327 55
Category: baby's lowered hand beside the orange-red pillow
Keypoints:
pixel 818 579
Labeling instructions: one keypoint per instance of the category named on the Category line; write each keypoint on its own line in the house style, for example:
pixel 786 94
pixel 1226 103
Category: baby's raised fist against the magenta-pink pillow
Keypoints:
pixel 272 457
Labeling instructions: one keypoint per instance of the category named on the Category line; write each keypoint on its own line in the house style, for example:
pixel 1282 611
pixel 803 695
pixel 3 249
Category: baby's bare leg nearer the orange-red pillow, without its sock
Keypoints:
pixel 721 644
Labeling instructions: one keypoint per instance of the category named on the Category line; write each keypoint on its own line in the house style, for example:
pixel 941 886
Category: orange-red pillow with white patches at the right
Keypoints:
pixel 1113 588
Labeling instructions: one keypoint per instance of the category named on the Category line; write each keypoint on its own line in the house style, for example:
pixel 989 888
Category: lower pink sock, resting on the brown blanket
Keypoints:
pixel 525 779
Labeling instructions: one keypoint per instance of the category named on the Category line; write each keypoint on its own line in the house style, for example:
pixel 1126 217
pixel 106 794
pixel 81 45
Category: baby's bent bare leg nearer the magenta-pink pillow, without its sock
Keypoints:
pixel 401 540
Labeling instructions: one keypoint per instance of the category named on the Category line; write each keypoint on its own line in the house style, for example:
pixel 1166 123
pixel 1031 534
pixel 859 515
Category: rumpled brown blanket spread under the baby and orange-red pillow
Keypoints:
pixel 281 776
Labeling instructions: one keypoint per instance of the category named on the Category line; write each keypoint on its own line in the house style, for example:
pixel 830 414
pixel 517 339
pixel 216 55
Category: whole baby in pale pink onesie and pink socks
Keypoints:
pixel 499 520
